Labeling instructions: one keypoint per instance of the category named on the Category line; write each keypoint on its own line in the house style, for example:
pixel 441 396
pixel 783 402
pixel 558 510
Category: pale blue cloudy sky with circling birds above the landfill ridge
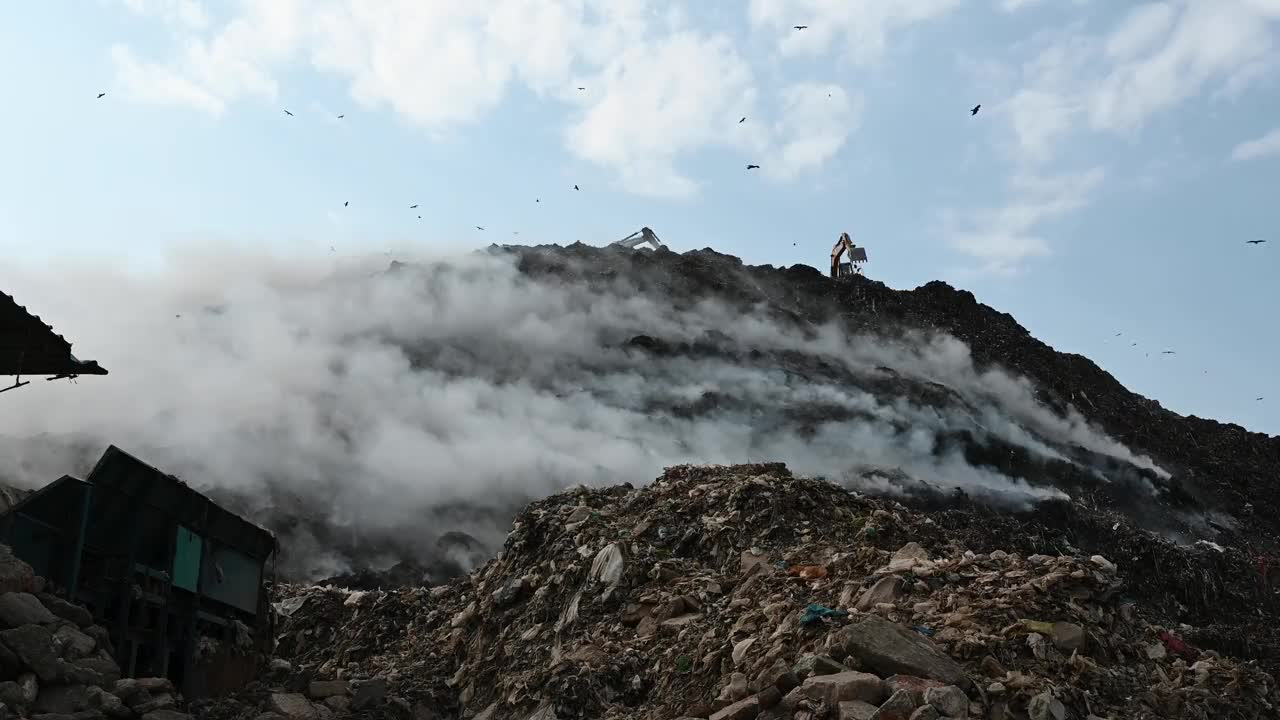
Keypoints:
pixel 1123 154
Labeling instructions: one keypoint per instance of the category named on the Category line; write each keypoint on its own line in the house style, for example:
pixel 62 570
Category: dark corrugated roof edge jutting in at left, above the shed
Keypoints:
pixel 31 348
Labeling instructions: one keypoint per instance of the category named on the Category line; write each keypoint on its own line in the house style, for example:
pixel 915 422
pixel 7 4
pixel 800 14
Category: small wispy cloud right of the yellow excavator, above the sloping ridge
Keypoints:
pixel 1004 239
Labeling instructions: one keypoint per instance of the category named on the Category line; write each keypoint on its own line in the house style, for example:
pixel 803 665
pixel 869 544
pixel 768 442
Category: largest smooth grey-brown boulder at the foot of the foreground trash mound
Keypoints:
pixel 890 649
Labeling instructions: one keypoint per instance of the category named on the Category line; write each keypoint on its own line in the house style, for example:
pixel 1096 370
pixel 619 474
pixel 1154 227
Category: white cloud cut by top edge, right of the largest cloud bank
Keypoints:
pixel 860 30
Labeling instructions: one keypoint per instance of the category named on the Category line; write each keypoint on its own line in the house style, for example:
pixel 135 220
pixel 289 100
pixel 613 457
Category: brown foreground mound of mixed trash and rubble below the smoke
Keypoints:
pixel 744 593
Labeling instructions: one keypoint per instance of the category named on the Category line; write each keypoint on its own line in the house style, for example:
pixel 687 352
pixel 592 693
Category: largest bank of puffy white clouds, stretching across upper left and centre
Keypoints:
pixel 657 90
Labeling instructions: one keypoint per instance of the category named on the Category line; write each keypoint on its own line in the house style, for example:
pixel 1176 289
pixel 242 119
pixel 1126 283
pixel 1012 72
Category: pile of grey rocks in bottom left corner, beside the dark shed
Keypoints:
pixel 56 664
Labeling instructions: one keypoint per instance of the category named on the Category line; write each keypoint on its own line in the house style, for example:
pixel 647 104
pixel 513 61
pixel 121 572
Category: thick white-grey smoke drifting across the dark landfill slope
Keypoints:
pixel 354 409
